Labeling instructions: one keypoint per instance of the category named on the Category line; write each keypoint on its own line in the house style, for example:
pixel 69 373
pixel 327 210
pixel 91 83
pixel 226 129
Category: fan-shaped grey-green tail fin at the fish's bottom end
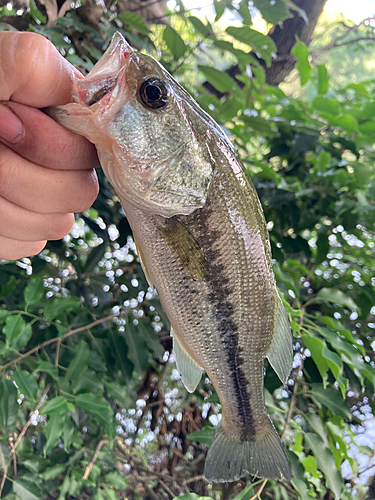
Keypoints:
pixel 230 458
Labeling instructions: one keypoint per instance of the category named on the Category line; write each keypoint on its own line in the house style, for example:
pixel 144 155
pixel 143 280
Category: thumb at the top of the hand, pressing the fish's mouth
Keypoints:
pixel 33 72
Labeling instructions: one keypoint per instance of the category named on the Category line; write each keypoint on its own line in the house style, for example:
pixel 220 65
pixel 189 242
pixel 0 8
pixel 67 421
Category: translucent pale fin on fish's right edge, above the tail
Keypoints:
pixel 280 353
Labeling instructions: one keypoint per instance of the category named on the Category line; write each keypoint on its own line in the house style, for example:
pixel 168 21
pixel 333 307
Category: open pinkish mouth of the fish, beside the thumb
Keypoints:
pixel 99 86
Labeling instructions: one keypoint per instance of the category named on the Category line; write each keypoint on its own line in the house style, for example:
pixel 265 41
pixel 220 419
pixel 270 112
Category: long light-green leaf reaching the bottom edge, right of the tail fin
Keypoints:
pixel 326 463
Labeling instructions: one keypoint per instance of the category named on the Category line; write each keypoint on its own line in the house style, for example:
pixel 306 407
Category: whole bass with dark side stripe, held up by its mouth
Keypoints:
pixel 202 241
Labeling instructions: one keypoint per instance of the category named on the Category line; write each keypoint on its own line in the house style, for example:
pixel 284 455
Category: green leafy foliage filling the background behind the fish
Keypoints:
pixel 90 406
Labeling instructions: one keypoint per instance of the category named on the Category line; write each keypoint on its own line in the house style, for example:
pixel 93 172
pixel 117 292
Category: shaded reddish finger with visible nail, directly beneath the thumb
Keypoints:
pixel 43 141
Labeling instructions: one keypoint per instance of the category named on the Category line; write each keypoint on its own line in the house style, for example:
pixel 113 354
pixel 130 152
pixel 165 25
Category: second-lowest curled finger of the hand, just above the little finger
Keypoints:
pixel 20 224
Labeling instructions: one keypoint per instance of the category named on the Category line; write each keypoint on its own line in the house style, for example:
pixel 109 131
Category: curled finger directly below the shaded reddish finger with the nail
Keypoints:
pixel 44 190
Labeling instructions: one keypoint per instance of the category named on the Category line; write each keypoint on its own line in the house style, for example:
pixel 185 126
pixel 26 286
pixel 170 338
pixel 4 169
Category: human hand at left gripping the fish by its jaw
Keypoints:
pixel 46 172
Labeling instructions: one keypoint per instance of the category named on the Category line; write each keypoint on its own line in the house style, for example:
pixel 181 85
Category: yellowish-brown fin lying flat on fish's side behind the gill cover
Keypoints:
pixel 185 248
